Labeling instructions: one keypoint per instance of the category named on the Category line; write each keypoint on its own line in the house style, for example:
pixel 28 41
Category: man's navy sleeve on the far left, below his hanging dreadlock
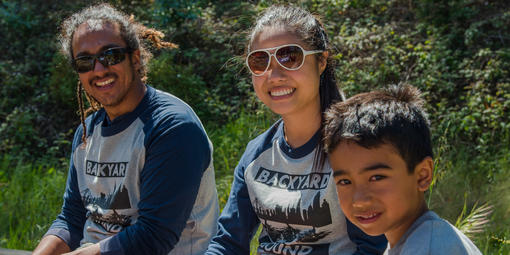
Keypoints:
pixel 69 223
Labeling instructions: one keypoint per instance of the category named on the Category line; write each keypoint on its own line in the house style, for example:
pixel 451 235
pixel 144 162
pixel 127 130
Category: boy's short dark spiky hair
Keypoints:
pixel 390 116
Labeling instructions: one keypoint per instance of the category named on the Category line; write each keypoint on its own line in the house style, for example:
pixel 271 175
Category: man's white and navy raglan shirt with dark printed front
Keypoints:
pixel 143 183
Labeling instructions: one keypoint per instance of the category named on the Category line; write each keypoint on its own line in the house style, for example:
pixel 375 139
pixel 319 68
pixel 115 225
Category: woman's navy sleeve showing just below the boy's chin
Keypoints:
pixel 365 244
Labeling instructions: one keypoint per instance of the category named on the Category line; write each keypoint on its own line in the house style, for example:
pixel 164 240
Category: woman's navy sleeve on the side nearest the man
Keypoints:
pixel 238 221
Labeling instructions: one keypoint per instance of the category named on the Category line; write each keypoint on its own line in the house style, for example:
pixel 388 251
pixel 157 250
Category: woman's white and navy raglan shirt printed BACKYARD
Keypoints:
pixel 275 185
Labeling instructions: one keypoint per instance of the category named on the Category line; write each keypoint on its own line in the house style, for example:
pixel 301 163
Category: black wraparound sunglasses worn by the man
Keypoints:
pixel 108 57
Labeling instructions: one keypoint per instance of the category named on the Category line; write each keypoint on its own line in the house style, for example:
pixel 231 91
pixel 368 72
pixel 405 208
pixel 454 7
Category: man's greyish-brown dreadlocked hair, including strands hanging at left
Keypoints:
pixel 131 32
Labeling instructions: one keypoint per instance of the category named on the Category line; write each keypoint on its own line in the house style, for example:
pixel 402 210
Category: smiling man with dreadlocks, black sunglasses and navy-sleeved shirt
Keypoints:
pixel 141 179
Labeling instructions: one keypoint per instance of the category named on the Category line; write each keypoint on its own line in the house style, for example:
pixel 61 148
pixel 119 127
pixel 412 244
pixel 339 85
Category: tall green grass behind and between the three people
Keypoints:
pixel 31 196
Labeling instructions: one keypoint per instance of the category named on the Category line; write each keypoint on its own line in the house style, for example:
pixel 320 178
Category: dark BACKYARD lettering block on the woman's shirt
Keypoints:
pixel 286 181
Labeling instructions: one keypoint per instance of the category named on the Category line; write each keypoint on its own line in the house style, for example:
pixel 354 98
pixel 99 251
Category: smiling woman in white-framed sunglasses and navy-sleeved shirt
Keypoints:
pixel 283 180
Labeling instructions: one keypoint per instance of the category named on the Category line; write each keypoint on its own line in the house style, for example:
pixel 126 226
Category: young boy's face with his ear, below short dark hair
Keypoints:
pixel 375 189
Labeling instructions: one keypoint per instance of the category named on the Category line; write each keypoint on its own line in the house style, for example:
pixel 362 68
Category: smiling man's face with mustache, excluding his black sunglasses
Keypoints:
pixel 112 86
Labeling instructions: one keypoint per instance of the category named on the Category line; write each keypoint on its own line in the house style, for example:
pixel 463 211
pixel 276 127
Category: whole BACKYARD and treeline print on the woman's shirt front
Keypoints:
pixel 292 228
